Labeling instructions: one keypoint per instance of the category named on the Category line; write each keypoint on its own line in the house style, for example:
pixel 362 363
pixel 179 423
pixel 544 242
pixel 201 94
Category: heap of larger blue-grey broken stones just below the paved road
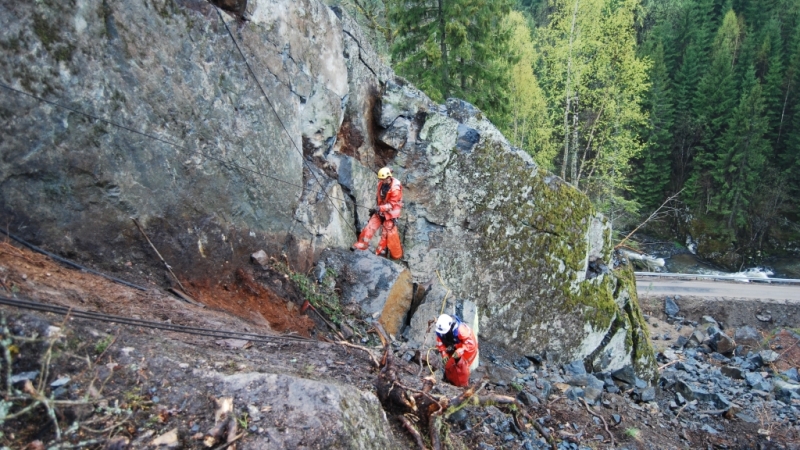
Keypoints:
pixel 714 373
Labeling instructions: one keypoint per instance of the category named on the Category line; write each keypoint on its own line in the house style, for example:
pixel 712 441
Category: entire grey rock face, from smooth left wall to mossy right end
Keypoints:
pixel 214 168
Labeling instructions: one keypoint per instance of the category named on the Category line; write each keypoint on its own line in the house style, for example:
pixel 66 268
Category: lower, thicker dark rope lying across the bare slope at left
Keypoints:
pixel 95 316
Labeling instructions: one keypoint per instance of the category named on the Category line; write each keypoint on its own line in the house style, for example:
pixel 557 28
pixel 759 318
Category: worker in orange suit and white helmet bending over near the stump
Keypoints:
pixel 458 346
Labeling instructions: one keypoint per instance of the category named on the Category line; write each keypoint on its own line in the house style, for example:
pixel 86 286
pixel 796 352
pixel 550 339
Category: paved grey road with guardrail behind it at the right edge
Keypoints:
pixel 729 289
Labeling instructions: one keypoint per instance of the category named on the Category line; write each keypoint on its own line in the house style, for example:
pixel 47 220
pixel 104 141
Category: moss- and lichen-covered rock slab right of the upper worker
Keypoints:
pixel 516 241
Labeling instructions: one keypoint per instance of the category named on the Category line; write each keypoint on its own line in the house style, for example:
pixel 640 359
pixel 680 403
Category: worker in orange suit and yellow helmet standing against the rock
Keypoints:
pixel 390 201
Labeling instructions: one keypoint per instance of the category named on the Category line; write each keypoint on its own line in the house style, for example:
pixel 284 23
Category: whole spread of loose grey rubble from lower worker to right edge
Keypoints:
pixel 713 381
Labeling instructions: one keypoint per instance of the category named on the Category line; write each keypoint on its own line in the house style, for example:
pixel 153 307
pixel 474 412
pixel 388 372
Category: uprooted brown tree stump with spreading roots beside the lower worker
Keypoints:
pixel 418 409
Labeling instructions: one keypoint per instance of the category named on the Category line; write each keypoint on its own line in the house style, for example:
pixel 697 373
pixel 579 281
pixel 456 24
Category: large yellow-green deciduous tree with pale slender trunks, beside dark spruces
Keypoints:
pixel 593 78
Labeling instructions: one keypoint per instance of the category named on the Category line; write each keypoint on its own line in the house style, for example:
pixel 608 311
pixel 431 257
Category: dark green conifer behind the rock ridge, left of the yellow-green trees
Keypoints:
pixel 454 48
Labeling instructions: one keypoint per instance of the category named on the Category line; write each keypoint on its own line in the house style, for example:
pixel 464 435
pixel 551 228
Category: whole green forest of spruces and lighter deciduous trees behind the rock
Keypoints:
pixel 689 104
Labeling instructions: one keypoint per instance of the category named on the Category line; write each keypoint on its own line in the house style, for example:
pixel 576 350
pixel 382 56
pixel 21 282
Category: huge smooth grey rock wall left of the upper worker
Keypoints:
pixel 211 168
